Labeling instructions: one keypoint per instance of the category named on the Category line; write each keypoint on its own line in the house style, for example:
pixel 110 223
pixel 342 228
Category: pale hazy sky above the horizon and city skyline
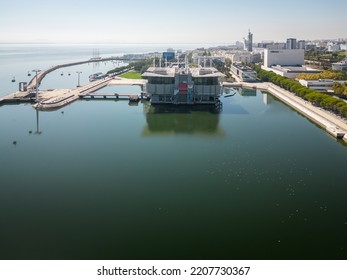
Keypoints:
pixel 175 21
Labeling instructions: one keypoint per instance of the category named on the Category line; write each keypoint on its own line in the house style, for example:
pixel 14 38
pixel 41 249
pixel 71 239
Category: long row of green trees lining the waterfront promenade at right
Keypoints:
pixel 323 100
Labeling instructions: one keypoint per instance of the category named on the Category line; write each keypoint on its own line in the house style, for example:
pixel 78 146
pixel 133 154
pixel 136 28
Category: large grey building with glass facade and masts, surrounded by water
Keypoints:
pixel 174 85
